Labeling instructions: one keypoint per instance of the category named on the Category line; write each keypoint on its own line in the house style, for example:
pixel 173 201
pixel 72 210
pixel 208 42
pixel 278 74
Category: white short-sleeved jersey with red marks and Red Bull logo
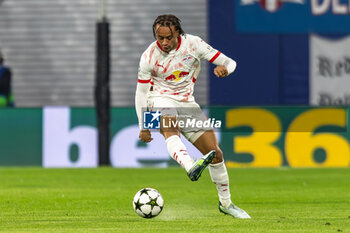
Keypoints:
pixel 174 74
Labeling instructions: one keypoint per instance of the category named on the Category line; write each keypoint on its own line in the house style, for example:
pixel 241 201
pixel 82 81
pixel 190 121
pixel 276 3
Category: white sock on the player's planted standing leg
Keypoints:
pixel 220 178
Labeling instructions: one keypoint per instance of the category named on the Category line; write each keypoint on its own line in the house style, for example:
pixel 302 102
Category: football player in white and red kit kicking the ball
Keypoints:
pixel 168 70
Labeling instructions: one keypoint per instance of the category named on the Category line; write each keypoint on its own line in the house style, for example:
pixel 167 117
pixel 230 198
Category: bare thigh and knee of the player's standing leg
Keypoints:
pixel 208 142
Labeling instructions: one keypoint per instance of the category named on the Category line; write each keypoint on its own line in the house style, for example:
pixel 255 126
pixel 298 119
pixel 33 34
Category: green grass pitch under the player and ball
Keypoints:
pixel 100 200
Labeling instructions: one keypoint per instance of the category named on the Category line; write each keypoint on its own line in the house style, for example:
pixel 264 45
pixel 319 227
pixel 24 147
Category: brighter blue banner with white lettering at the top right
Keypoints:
pixel 292 16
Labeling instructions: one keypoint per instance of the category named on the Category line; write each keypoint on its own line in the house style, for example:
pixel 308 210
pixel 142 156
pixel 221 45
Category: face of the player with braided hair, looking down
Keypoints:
pixel 167 38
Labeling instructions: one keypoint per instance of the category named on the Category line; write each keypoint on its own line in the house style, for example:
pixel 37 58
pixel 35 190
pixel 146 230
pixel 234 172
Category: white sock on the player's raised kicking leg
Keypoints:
pixel 177 150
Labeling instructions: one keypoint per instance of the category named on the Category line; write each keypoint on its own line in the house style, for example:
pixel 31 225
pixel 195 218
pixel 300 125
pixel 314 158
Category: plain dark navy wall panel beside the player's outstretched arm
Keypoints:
pixel 271 69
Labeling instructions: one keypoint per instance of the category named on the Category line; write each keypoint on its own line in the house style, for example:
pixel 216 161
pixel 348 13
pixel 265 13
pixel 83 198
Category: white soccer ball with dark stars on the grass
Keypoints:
pixel 148 203
